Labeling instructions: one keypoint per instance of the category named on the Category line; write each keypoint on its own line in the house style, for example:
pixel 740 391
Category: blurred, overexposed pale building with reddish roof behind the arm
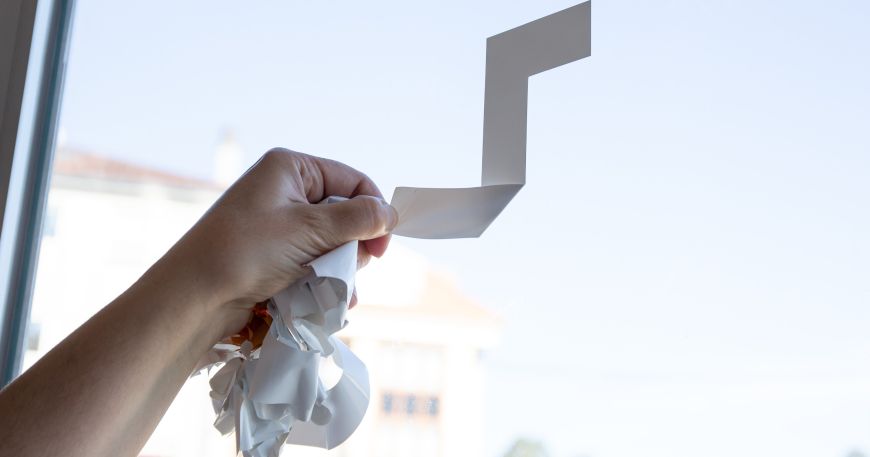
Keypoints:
pixel 107 221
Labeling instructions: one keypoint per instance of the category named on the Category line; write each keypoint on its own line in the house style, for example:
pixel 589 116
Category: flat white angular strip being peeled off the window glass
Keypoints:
pixel 511 57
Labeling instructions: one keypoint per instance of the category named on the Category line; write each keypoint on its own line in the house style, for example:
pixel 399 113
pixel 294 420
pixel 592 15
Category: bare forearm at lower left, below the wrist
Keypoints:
pixel 102 391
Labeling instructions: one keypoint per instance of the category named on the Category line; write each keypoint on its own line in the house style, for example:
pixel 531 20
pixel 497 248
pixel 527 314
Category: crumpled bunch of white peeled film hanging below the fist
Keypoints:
pixel 274 394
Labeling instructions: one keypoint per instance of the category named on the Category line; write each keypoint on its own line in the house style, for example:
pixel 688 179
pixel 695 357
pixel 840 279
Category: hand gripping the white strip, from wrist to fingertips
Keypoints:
pixel 258 236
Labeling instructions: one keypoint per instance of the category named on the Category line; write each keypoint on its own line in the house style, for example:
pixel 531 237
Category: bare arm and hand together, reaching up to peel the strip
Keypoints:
pixel 102 390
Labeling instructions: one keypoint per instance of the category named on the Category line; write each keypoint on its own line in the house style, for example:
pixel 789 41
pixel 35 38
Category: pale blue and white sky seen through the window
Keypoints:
pixel 685 272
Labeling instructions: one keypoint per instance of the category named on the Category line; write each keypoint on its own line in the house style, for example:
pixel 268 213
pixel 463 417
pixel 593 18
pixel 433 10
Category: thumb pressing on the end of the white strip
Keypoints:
pixel 360 218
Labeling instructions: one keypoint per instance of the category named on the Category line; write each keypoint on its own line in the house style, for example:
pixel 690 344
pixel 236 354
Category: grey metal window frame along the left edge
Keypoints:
pixel 33 49
